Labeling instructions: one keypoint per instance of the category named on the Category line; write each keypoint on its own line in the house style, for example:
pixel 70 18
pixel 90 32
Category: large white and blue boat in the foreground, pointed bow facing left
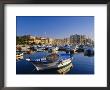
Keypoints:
pixel 50 62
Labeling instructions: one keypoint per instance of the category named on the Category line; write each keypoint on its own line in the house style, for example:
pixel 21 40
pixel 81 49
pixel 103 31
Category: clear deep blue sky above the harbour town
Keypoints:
pixel 55 26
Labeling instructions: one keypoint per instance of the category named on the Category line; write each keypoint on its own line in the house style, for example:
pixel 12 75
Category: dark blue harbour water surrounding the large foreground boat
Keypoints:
pixel 80 64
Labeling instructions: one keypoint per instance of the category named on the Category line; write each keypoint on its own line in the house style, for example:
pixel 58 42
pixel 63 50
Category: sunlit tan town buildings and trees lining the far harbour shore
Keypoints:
pixel 73 39
